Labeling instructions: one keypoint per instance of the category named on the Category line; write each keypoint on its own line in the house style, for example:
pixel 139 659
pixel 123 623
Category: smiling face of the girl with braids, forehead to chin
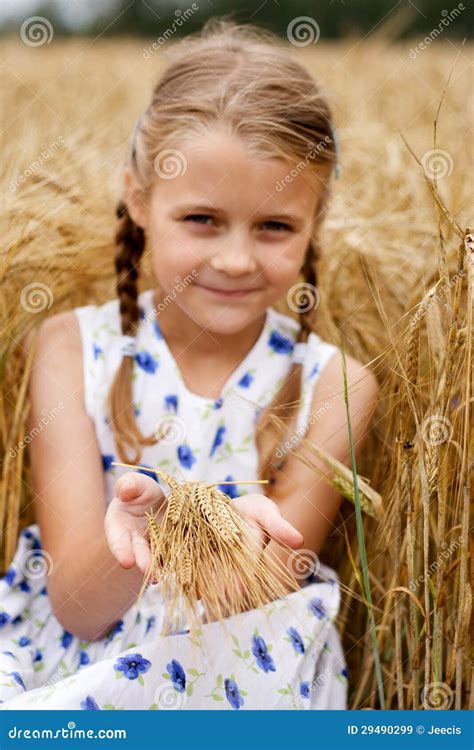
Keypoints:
pixel 224 231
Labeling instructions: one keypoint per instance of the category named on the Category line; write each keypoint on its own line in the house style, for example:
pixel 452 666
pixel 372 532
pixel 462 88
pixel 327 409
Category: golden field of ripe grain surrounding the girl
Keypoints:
pixel 396 279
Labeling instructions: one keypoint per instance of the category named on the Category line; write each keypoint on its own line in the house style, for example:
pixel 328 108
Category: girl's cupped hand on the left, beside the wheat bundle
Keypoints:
pixel 125 521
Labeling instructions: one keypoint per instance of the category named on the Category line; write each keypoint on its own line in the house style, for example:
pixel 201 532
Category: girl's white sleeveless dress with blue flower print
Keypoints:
pixel 286 656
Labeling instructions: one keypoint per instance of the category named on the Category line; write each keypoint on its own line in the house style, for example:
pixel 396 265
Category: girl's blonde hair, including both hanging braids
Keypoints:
pixel 242 77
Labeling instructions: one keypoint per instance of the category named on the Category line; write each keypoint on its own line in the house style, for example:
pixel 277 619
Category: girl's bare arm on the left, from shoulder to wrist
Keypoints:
pixel 87 587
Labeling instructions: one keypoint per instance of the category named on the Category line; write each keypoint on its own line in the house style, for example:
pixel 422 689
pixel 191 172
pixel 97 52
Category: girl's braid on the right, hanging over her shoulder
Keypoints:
pixel 287 400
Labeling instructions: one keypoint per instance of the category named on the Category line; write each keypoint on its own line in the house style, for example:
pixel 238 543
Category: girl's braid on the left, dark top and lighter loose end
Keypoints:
pixel 130 243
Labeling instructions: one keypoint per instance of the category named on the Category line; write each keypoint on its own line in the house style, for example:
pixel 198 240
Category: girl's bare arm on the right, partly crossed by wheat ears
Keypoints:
pixel 306 500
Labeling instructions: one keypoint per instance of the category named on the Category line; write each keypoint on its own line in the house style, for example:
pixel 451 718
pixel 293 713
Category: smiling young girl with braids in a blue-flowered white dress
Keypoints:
pixel 226 182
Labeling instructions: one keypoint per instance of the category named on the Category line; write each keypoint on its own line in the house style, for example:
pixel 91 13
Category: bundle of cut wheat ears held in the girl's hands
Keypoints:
pixel 204 552
